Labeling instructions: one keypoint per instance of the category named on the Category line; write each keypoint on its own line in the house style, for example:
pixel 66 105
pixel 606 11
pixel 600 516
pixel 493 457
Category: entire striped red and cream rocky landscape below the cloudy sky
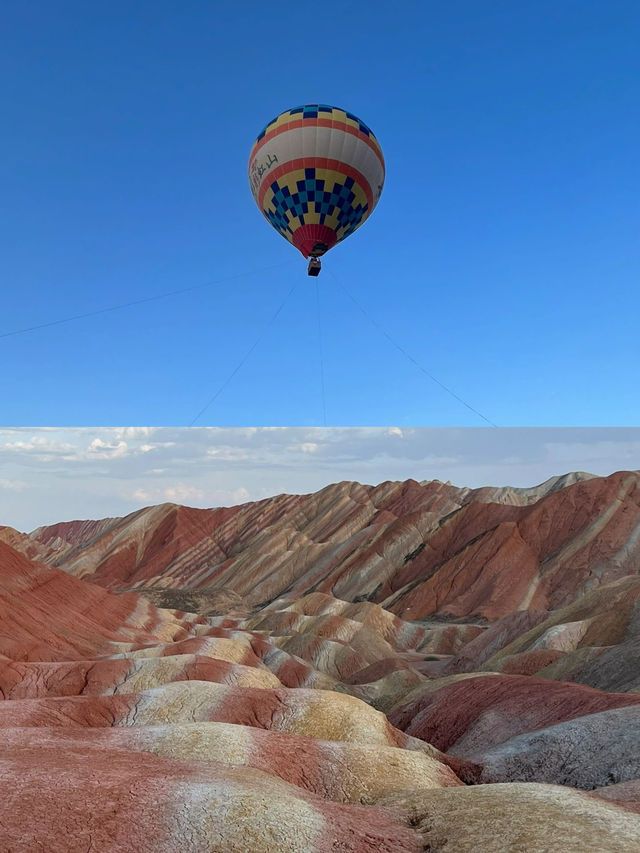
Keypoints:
pixel 406 667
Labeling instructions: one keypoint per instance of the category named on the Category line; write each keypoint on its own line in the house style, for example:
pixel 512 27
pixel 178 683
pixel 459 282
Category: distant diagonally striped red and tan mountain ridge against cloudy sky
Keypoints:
pixel 418 549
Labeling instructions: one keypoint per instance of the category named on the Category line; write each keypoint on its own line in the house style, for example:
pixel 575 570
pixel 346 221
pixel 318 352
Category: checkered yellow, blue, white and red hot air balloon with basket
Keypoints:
pixel 316 172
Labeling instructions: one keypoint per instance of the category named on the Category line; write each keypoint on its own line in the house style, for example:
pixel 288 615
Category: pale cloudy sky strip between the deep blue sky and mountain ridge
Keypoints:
pixel 50 474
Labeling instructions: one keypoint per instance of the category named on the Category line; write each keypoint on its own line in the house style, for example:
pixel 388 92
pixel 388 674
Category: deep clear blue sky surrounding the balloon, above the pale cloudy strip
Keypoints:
pixel 503 255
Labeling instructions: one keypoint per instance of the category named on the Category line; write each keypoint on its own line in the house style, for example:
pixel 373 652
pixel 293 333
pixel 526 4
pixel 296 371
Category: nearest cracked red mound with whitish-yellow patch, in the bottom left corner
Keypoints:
pixel 56 800
